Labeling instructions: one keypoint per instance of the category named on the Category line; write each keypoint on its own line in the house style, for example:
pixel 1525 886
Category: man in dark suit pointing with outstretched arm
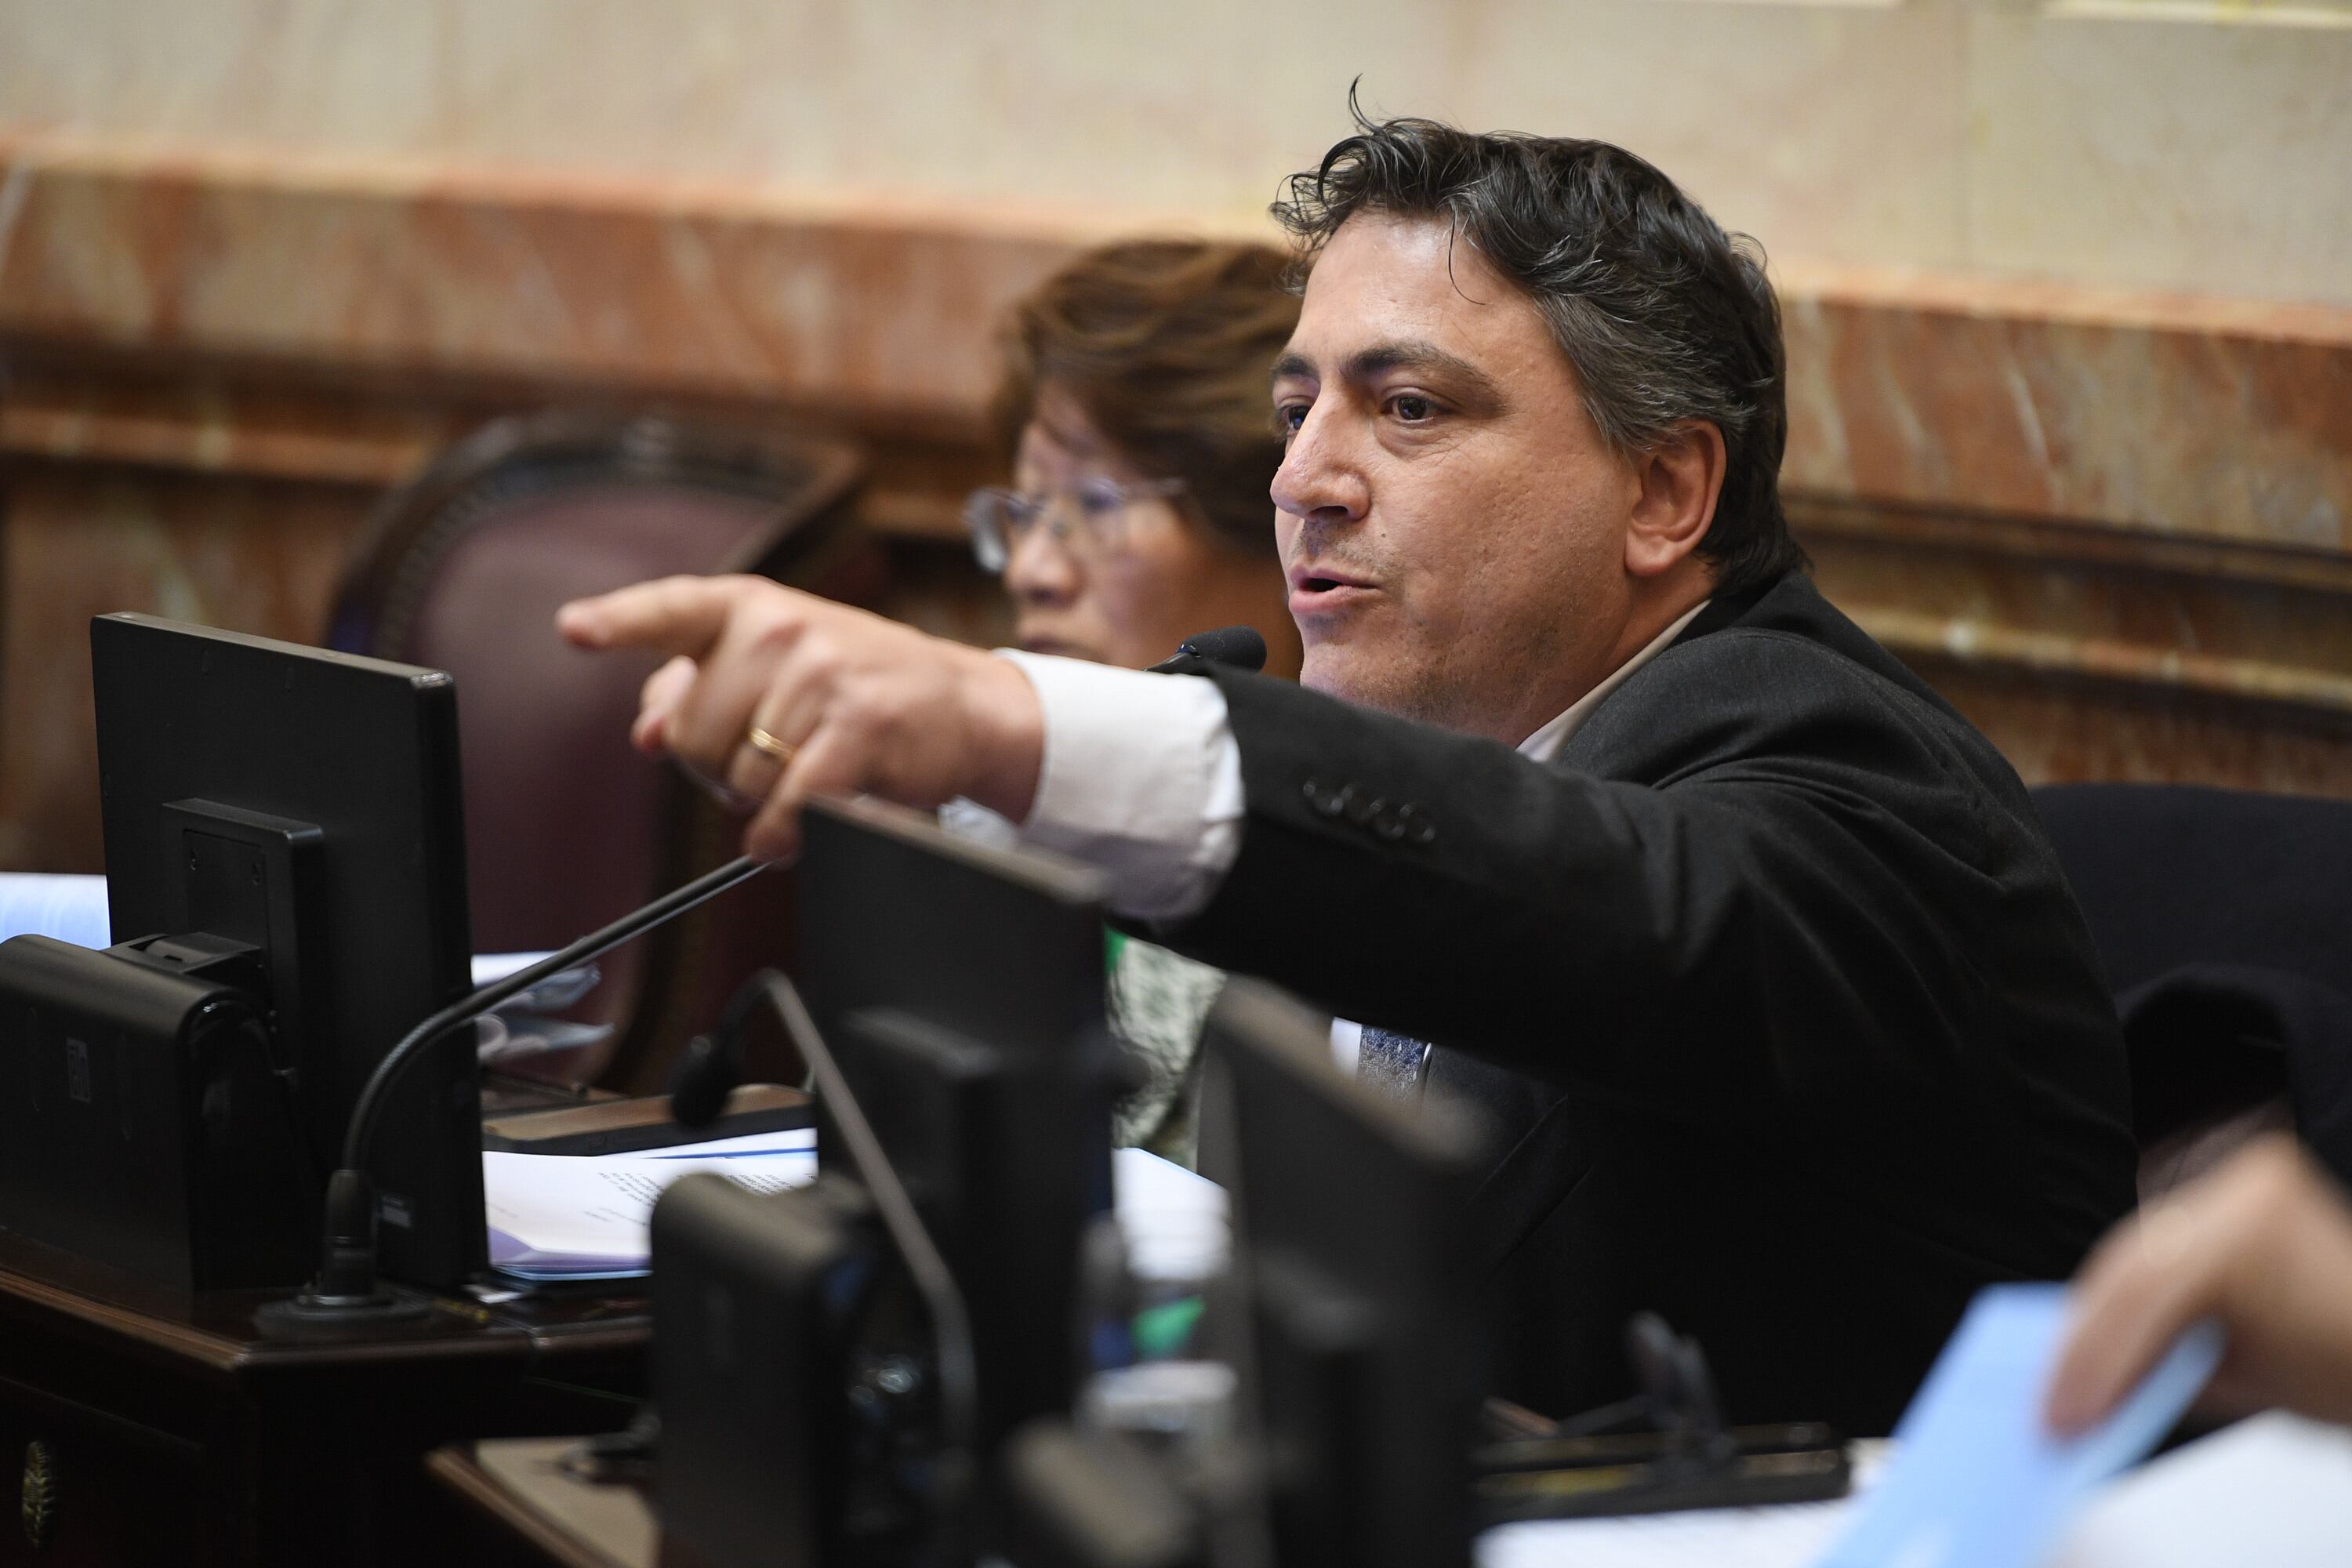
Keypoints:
pixel 1589 808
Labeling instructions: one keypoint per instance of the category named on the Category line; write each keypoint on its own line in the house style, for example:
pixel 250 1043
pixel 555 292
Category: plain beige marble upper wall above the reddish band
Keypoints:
pixel 2106 142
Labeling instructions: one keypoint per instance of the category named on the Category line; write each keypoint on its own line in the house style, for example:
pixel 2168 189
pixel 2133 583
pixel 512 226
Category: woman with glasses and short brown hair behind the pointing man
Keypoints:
pixel 1142 441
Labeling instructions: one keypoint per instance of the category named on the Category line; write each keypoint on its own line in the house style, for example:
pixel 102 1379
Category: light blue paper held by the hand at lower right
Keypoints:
pixel 1977 1480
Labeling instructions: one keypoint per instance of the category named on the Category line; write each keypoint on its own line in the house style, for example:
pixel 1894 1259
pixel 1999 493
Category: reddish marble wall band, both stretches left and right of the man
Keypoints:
pixel 2177 415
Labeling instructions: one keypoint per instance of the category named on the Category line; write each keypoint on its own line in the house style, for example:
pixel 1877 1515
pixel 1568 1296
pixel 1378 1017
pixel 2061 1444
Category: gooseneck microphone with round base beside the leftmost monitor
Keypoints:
pixel 349 1289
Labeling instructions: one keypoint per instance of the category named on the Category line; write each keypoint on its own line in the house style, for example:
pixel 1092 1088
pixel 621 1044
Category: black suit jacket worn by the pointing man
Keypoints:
pixel 1770 996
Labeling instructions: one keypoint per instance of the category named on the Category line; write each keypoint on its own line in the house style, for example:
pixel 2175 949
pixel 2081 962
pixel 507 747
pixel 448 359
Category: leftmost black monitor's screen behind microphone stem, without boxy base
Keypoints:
pixel 309 805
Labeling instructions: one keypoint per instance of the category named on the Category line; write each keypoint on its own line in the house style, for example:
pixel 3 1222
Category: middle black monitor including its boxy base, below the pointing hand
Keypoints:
pixel 961 993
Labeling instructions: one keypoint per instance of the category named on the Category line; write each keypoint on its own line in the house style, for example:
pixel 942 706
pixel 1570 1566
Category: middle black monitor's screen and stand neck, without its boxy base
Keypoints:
pixel 963 989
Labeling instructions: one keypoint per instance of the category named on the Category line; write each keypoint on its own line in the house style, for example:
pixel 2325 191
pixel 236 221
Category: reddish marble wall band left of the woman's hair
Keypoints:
pixel 570 283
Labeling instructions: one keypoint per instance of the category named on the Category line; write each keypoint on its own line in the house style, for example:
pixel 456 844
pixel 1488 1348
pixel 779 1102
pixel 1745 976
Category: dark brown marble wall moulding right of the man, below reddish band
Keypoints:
pixel 2179 662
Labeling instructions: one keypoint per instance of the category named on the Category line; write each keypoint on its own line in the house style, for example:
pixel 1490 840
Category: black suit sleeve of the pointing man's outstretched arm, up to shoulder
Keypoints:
pixel 1779 902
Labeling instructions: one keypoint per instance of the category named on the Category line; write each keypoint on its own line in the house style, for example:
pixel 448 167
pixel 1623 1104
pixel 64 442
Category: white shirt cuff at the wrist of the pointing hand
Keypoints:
pixel 1142 779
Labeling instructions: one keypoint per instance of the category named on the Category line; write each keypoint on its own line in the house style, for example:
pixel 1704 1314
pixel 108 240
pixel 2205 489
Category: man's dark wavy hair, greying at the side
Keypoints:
pixel 1662 314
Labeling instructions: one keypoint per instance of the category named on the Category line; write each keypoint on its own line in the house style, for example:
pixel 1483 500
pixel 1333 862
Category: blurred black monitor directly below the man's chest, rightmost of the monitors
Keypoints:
pixel 1368 1351
